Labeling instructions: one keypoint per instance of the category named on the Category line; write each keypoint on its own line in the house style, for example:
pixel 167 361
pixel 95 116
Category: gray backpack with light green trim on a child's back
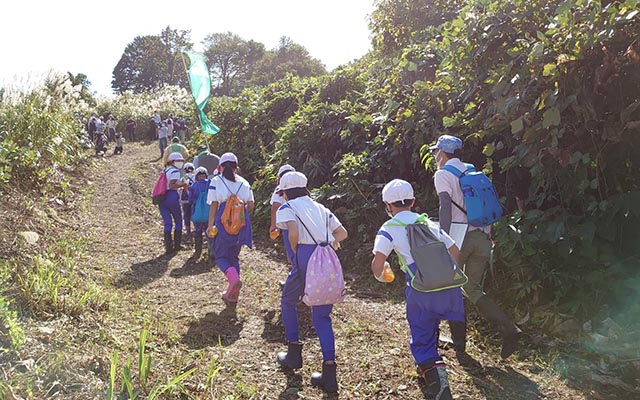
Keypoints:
pixel 435 268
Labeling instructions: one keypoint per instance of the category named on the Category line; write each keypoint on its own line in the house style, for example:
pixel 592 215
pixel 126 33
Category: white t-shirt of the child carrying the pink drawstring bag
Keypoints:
pixel 315 217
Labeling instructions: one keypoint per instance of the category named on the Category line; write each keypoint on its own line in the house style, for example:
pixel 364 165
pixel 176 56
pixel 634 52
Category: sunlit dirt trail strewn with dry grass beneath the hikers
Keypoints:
pixel 191 327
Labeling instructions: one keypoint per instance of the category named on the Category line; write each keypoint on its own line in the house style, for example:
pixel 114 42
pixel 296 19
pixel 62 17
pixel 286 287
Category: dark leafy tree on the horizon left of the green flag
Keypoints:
pixel 152 61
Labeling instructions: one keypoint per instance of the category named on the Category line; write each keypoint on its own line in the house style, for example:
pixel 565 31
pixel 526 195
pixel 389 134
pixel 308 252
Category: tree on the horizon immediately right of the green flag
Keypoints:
pixel 231 60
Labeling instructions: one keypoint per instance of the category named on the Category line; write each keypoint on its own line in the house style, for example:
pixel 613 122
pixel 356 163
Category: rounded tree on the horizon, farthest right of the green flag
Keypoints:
pixel 288 57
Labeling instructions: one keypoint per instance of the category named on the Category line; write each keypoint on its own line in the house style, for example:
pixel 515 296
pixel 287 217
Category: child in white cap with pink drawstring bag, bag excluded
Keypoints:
pixel 309 225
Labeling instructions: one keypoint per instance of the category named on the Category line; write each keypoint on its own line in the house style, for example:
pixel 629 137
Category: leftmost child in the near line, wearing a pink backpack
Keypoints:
pixel 170 207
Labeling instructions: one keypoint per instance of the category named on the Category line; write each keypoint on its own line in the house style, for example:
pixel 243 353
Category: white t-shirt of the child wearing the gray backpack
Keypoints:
pixel 393 237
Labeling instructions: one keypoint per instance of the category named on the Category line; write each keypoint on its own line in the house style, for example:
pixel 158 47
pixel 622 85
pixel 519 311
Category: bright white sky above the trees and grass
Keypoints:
pixel 39 36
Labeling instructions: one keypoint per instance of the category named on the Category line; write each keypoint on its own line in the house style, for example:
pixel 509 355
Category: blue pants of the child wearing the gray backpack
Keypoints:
pixel 424 312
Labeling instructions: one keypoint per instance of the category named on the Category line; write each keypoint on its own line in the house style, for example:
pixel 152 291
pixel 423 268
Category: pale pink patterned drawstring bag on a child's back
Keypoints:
pixel 324 282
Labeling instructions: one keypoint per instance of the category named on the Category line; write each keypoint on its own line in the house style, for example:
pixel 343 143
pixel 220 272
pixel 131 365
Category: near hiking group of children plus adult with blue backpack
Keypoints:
pixel 442 262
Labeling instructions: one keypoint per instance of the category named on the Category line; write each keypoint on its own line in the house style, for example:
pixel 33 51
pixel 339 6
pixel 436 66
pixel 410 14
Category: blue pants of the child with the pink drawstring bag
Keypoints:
pixel 321 315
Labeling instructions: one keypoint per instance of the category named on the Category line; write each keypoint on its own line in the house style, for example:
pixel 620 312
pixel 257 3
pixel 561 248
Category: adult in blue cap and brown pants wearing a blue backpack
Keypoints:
pixel 476 248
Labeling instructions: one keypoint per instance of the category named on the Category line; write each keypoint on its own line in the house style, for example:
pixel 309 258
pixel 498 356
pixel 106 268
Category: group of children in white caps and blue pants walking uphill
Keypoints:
pixel 307 227
